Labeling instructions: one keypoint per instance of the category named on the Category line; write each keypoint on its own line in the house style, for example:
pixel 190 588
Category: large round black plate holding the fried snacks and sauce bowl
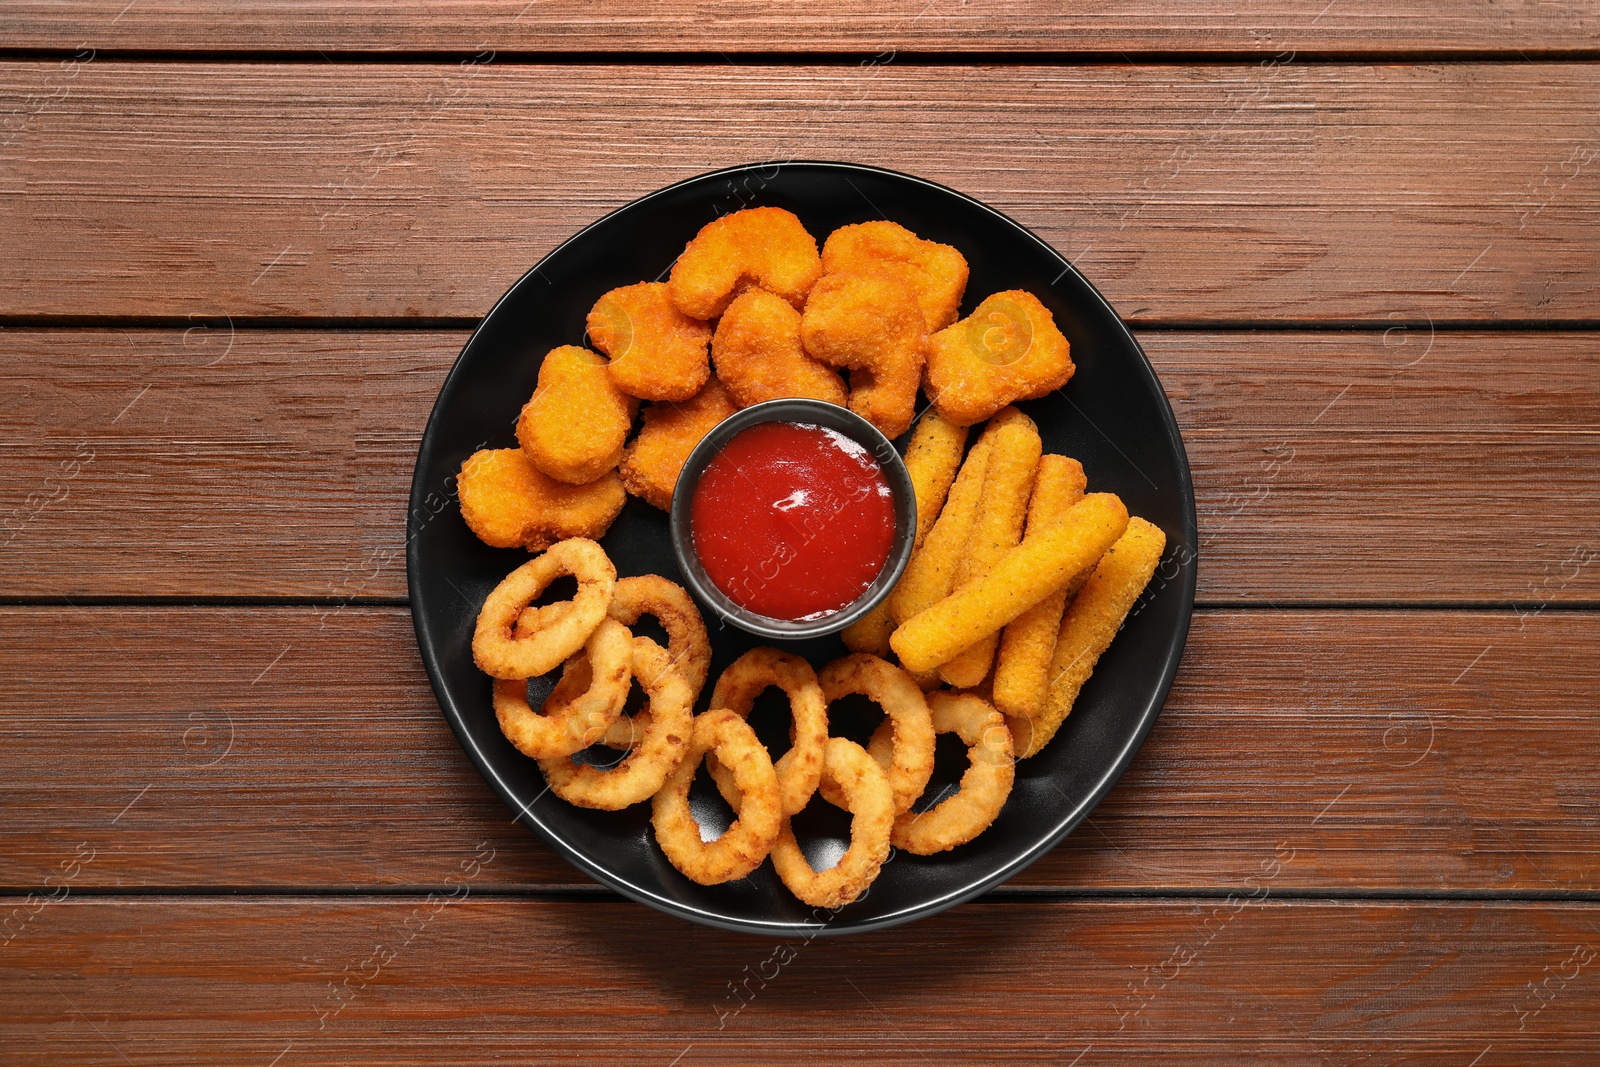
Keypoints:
pixel 1113 417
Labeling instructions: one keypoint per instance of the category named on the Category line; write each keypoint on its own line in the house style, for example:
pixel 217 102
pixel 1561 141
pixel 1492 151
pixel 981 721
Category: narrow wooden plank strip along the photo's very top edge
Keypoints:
pixel 1209 26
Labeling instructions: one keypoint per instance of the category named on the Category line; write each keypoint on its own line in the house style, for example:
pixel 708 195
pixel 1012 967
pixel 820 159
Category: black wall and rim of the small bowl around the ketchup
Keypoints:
pixel 815 414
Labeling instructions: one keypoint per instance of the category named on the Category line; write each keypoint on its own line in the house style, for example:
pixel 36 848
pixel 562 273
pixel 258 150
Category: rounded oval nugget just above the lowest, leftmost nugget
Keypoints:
pixel 577 422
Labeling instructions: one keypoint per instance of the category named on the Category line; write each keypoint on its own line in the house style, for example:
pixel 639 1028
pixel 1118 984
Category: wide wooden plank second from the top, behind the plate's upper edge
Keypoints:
pixel 1274 191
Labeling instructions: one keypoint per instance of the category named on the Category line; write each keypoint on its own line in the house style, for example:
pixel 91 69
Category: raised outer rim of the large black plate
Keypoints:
pixel 1017 865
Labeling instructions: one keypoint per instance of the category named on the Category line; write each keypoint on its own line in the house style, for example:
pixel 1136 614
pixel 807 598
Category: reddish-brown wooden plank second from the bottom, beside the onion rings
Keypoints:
pixel 1378 751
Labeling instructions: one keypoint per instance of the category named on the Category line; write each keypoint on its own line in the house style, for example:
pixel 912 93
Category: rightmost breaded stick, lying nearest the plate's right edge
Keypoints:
pixel 1089 628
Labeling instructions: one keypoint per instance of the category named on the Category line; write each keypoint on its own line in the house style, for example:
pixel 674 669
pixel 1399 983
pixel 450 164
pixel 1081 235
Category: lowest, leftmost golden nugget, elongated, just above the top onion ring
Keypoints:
pixel 510 503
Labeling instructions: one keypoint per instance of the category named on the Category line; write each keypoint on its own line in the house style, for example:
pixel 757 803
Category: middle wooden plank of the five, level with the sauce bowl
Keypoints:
pixel 1348 468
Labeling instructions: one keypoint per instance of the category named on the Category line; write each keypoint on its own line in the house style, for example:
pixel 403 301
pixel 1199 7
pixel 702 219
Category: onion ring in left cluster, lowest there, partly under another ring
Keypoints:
pixel 660 748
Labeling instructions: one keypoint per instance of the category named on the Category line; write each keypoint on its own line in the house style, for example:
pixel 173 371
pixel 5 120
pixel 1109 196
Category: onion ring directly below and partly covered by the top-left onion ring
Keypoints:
pixel 582 708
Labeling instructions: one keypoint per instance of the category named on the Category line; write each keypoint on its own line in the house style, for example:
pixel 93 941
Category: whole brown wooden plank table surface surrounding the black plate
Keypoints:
pixel 242 246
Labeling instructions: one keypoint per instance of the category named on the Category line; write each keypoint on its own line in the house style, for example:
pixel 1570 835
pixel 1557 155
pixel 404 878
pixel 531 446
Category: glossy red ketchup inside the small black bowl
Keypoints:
pixel 793 521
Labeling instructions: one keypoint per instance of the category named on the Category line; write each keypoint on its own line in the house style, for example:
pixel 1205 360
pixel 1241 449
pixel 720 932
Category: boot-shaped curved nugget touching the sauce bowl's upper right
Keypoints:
pixel 873 326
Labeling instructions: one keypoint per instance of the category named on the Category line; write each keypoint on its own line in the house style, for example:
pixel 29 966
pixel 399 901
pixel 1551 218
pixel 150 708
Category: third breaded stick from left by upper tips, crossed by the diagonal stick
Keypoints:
pixel 1014 463
